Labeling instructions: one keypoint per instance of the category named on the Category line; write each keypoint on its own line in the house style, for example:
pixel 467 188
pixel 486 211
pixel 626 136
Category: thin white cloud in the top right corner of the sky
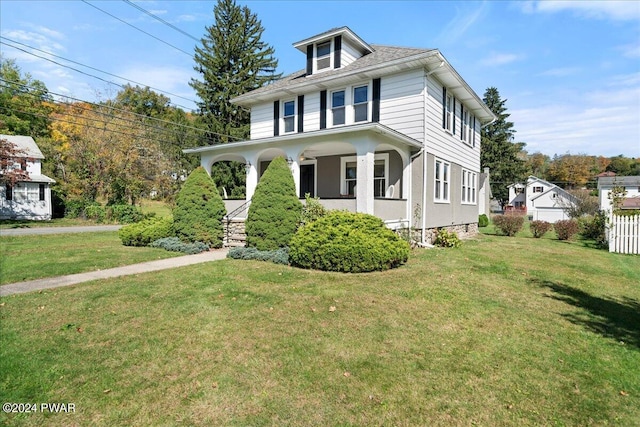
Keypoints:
pixel 627 10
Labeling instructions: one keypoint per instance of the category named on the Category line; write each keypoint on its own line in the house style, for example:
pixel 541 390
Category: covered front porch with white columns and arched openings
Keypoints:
pixel 364 168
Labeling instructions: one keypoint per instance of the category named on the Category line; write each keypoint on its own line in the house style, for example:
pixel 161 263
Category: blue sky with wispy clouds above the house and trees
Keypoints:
pixel 569 70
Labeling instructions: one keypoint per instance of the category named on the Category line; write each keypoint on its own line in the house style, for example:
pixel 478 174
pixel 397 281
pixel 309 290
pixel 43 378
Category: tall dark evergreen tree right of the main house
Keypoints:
pixel 499 153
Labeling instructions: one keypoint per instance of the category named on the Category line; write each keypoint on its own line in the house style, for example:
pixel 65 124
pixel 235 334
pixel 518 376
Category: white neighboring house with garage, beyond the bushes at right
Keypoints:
pixel 540 200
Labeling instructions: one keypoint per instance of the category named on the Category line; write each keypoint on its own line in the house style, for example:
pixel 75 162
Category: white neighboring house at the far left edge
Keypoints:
pixel 27 199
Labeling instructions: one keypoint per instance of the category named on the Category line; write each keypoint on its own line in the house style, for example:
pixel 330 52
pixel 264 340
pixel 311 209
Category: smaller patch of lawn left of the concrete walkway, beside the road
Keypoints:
pixel 34 257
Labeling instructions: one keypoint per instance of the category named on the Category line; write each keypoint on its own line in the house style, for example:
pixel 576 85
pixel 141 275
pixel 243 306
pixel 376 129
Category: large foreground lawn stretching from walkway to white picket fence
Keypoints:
pixel 502 331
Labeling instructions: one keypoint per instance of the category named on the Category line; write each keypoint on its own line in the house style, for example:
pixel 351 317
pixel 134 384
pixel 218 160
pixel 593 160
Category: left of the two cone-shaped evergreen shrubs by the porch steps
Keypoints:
pixel 199 210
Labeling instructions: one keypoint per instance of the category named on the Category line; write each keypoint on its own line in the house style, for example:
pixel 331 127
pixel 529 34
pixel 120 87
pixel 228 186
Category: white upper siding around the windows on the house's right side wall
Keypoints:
pixel 442 143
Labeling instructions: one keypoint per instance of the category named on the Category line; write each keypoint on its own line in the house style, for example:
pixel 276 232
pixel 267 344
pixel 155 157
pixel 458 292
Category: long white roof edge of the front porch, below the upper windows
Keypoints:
pixel 313 137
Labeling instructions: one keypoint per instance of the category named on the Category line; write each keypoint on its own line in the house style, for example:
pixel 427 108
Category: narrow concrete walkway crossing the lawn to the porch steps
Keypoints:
pixel 163 264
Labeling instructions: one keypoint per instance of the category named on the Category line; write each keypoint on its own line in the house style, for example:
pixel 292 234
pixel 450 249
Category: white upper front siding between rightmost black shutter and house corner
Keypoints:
pixel 402 103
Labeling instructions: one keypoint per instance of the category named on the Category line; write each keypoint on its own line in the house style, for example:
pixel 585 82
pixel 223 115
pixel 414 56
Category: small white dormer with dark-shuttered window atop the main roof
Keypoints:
pixel 332 50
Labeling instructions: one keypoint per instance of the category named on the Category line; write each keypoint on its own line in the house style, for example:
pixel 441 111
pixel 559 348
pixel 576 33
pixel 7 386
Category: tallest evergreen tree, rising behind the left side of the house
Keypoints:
pixel 232 60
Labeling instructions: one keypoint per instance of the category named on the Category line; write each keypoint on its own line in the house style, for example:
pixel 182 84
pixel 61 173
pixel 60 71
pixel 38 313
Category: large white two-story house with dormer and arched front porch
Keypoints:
pixel 388 131
